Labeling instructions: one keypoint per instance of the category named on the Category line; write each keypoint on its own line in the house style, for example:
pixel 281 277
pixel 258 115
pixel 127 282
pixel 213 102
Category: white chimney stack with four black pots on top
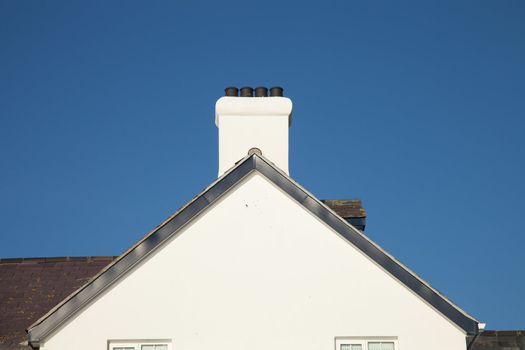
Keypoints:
pixel 248 122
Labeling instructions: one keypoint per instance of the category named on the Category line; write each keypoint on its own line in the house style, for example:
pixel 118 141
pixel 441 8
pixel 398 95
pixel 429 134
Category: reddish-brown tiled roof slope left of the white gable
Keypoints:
pixel 30 287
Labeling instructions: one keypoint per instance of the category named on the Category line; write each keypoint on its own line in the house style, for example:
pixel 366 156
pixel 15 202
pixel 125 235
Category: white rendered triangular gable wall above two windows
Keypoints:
pixel 258 272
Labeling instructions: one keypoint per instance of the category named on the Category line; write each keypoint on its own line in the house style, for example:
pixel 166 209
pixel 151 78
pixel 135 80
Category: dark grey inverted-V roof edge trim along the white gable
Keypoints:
pixel 76 301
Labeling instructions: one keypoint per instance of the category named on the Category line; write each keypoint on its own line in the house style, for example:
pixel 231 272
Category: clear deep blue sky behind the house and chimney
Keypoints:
pixel 417 108
